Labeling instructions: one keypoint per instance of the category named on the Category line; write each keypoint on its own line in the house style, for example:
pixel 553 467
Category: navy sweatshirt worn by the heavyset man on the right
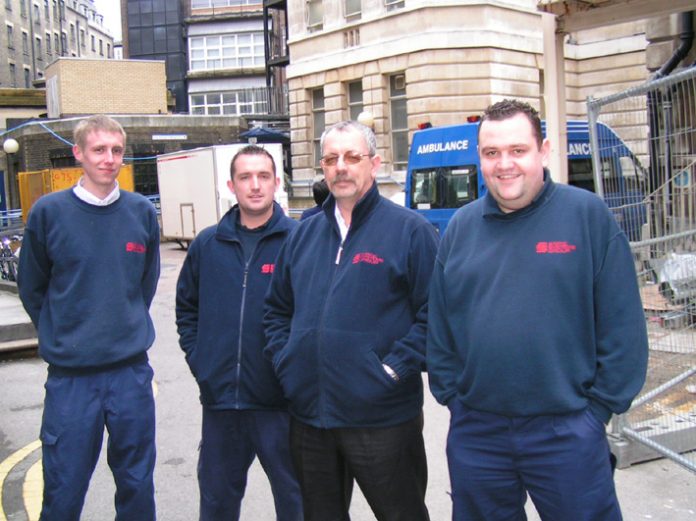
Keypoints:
pixel 537 311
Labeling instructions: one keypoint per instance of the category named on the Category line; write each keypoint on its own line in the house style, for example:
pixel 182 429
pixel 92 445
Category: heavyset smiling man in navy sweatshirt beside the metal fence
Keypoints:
pixel 536 335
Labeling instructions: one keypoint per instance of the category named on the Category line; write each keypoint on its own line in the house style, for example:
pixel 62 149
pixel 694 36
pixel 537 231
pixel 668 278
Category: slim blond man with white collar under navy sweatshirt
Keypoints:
pixel 88 271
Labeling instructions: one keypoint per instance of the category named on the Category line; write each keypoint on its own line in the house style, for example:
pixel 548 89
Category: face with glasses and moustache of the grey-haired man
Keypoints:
pixel 348 180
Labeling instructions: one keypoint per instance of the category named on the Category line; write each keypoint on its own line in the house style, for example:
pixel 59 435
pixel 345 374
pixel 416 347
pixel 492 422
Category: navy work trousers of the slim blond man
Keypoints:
pixel 76 410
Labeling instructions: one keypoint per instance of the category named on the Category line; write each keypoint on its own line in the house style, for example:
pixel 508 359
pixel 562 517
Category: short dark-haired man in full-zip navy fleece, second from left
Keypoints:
pixel 219 313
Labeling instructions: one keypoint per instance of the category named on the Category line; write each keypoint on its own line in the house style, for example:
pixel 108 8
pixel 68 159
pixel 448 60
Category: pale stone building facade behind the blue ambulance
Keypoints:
pixel 433 62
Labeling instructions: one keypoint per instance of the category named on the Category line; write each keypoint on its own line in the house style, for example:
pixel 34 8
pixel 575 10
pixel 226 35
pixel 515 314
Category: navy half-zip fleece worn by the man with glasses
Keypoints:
pixel 330 326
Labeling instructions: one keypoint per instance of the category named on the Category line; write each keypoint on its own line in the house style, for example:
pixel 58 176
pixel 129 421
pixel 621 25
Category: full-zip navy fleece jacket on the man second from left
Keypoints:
pixel 219 314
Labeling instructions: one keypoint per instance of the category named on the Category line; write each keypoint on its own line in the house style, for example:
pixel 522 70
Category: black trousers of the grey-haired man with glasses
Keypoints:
pixel 389 465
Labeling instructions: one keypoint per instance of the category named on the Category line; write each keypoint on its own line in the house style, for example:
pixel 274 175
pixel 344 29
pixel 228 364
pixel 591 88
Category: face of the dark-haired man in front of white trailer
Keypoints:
pixel 254 184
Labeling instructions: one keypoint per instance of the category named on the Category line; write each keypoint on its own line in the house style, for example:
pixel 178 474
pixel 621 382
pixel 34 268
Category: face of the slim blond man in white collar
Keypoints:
pixel 101 157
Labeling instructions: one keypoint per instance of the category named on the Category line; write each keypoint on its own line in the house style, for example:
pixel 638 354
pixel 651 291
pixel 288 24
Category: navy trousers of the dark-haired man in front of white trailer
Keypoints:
pixel 229 442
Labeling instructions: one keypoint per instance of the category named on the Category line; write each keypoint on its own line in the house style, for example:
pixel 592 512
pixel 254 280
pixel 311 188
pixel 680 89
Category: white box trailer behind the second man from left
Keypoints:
pixel 193 188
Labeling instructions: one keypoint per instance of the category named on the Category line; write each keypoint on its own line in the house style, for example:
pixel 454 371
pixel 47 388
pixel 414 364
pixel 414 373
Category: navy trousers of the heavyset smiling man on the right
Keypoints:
pixel 562 461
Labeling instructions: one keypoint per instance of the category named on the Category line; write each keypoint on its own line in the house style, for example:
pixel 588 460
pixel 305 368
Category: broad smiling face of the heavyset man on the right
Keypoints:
pixel 512 161
